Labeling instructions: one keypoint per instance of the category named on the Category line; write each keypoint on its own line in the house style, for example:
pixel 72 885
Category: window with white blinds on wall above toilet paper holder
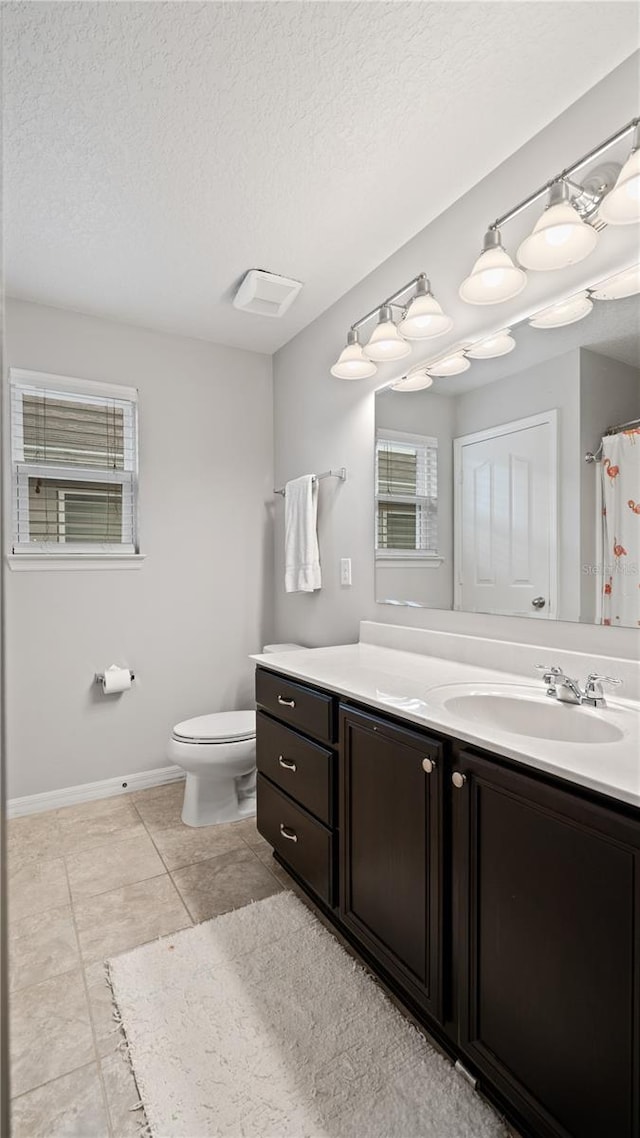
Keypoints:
pixel 75 460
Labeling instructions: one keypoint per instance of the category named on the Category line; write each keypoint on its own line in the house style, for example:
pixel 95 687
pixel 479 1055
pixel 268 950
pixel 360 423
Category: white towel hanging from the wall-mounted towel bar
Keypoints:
pixel 302 556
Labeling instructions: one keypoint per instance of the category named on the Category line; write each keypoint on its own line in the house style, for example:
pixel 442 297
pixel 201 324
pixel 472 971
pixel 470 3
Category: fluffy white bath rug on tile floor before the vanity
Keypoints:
pixel 259 1025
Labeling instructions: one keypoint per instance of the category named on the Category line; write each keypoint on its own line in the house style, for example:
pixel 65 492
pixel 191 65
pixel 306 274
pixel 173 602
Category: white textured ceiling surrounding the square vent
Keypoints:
pixel 155 152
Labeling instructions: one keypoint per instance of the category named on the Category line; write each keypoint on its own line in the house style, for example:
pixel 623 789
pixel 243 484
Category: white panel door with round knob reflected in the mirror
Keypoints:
pixel 506 540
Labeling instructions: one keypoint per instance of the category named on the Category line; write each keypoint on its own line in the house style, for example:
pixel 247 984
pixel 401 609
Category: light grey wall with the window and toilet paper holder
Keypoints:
pixel 188 619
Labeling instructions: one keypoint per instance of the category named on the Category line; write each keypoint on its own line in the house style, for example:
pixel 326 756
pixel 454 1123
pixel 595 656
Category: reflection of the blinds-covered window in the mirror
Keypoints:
pixel 406 496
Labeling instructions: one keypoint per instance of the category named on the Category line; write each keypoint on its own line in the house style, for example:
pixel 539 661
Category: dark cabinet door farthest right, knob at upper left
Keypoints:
pixel 548 951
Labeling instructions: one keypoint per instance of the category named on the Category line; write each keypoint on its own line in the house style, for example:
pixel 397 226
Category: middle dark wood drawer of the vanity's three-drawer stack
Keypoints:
pixel 300 768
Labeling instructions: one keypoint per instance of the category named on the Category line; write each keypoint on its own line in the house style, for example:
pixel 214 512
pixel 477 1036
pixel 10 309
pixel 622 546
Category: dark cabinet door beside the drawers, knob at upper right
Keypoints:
pixel 391 861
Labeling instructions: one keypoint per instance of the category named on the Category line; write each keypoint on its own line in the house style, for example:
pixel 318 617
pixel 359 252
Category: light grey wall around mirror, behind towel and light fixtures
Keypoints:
pixel 322 422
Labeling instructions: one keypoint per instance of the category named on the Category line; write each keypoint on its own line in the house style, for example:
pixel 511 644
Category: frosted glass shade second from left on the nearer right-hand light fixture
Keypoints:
pixel 560 237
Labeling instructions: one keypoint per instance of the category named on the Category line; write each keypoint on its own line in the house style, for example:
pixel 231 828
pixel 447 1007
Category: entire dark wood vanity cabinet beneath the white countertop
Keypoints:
pixel 502 904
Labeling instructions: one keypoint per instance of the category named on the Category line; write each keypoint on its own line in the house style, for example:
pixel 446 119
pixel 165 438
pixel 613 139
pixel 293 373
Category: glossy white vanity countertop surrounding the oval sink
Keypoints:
pixel 399 683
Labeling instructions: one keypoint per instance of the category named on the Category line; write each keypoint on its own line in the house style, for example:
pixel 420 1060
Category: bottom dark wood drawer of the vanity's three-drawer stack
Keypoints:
pixel 308 850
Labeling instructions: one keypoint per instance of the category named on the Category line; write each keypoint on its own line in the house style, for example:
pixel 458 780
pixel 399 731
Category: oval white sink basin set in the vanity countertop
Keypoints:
pixel 526 712
